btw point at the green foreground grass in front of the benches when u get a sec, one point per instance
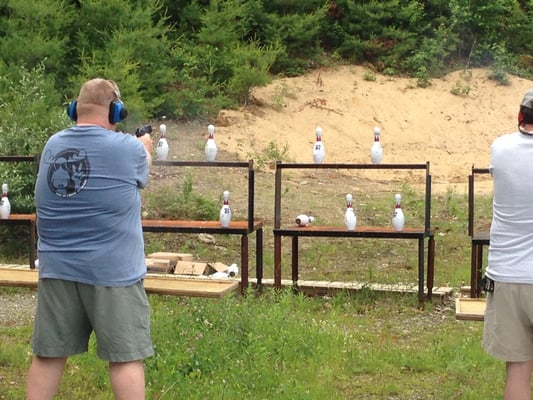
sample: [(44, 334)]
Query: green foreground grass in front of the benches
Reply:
[(285, 346)]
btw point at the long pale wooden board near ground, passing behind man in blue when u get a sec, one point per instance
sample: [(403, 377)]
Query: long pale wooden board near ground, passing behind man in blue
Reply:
[(152, 284)]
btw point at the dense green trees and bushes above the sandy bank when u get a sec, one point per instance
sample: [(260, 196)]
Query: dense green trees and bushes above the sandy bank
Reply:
[(188, 59)]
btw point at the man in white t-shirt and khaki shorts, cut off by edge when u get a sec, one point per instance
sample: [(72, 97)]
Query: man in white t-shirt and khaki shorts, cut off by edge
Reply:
[(508, 329)]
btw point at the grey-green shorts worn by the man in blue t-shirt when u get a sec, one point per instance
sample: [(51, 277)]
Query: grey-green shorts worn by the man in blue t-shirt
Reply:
[(68, 312)]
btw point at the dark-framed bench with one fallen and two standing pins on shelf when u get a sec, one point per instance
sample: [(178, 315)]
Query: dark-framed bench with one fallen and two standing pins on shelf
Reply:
[(418, 233)]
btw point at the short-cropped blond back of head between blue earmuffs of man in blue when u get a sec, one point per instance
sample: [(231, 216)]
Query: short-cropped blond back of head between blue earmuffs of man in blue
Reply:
[(95, 94)]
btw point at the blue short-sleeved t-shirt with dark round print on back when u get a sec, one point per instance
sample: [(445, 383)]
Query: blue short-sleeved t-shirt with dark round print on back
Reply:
[(89, 207)]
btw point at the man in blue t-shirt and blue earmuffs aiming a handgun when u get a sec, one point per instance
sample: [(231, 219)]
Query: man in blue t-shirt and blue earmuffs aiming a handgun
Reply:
[(91, 249)]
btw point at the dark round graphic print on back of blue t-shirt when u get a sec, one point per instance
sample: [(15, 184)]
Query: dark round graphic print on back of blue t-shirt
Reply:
[(68, 172)]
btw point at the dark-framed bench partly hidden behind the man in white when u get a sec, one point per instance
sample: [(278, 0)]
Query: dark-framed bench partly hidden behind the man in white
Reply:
[(478, 238)]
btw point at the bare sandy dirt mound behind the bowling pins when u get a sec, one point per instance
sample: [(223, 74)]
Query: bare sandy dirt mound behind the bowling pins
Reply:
[(451, 123)]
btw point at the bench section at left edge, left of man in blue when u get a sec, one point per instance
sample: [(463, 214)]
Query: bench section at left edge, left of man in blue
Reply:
[(24, 219)]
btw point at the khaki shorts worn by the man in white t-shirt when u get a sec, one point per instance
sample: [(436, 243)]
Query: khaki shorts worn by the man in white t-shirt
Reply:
[(508, 326)]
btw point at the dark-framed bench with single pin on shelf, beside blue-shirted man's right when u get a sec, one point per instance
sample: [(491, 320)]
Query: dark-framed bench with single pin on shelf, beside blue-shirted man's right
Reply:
[(243, 228)]
